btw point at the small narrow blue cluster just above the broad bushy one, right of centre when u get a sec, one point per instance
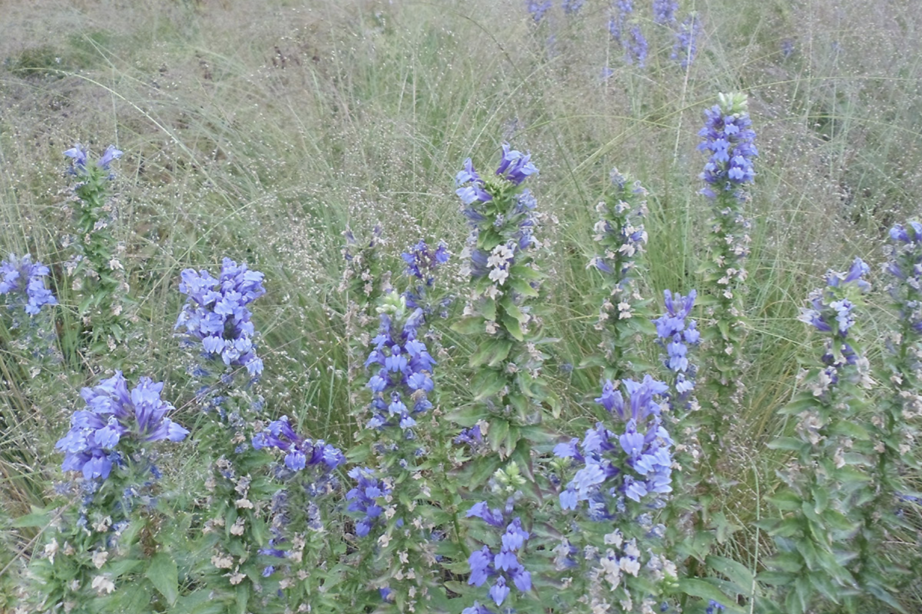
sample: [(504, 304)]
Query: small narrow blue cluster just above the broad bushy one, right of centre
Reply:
[(675, 335)]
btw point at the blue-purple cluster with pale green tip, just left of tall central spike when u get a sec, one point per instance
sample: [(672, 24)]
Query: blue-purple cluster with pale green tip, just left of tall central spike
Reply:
[(402, 375)]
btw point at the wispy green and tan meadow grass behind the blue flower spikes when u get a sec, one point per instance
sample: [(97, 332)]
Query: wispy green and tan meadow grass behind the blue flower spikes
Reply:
[(261, 131)]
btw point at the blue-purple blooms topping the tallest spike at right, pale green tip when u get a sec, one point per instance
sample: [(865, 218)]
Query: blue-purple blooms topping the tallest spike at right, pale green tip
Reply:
[(728, 138)]
